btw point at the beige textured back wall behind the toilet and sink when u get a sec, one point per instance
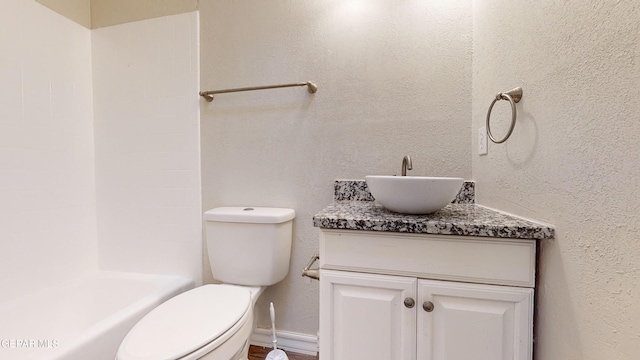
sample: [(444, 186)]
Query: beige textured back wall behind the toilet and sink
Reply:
[(394, 78)]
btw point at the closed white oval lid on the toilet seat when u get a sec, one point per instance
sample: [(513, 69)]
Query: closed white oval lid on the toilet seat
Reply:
[(186, 323)]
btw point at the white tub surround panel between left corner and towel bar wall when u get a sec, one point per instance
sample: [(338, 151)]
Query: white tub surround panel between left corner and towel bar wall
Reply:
[(148, 146)]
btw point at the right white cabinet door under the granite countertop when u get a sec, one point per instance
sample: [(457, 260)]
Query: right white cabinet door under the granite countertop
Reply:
[(471, 321)]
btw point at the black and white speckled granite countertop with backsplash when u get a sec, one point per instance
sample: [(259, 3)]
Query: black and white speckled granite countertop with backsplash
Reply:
[(462, 217)]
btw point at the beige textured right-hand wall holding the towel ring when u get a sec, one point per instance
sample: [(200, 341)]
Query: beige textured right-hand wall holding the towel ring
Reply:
[(572, 160)]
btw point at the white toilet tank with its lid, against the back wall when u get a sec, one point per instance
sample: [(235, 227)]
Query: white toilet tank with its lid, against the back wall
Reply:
[(249, 245)]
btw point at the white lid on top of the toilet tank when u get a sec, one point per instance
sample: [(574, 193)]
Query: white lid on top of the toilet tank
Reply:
[(250, 214)]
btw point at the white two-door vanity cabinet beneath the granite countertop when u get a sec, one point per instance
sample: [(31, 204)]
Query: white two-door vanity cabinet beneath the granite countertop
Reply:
[(426, 297)]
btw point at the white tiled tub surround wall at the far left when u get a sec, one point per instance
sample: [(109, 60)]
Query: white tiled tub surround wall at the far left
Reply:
[(47, 199)]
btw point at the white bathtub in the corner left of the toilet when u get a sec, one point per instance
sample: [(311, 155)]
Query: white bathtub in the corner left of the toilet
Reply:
[(82, 320)]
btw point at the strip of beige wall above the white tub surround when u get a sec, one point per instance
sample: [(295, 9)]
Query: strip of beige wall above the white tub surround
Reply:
[(100, 13)]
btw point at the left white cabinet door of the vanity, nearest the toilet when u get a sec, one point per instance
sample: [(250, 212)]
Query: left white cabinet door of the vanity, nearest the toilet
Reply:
[(363, 316)]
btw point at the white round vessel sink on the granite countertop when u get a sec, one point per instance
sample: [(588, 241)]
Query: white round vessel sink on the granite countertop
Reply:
[(413, 194)]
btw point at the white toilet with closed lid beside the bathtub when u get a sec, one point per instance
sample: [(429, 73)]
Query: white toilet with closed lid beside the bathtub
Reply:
[(249, 248)]
